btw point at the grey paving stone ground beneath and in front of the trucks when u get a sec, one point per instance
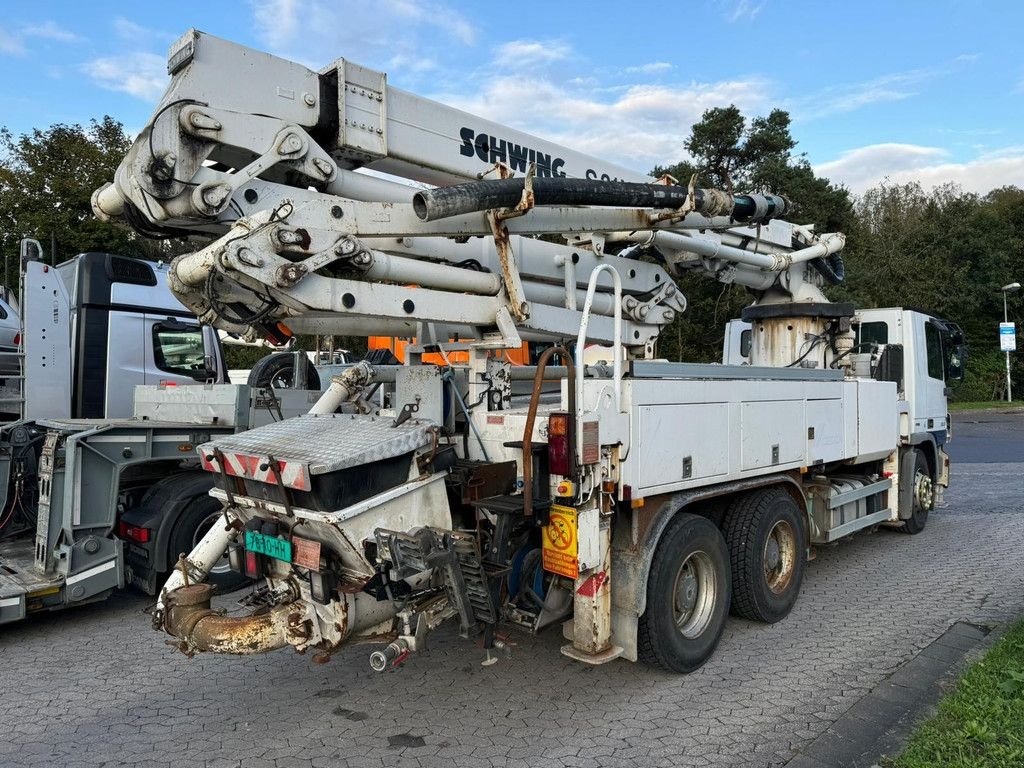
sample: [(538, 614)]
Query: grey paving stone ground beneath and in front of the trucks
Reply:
[(97, 688)]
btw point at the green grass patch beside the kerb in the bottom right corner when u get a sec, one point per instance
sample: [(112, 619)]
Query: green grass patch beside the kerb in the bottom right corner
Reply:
[(982, 723)]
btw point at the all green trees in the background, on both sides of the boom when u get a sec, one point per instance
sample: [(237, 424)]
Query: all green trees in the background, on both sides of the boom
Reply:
[(946, 250)]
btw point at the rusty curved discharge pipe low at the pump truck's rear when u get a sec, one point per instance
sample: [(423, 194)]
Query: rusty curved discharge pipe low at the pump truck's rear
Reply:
[(189, 618)]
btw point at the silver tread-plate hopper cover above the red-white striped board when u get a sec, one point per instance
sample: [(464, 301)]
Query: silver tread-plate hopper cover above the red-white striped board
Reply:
[(328, 444)]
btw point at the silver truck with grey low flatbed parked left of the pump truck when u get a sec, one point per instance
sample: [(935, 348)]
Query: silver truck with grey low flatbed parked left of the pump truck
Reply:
[(108, 386)]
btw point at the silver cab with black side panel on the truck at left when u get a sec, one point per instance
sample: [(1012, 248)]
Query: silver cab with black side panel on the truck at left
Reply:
[(97, 327)]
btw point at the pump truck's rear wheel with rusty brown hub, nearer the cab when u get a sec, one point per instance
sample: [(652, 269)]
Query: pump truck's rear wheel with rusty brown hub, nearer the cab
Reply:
[(764, 531)]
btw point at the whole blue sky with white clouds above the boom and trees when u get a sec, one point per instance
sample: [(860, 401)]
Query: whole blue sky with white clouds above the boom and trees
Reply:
[(932, 92)]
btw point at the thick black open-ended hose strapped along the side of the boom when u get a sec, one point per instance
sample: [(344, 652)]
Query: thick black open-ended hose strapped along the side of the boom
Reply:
[(484, 196)]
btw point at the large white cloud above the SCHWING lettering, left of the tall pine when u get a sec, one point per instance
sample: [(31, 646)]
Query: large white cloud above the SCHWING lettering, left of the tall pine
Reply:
[(638, 126)]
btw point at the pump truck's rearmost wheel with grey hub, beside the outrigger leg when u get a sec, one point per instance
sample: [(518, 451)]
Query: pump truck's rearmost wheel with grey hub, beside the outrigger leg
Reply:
[(688, 596)]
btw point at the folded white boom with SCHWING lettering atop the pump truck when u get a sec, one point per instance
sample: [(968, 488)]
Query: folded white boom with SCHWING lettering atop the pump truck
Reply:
[(263, 154)]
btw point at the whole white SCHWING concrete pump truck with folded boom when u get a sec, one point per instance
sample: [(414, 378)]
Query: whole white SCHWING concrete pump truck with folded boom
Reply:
[(637, 508)]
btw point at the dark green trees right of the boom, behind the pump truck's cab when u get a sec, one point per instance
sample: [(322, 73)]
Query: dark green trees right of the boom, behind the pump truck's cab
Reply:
[(946, 251)]
